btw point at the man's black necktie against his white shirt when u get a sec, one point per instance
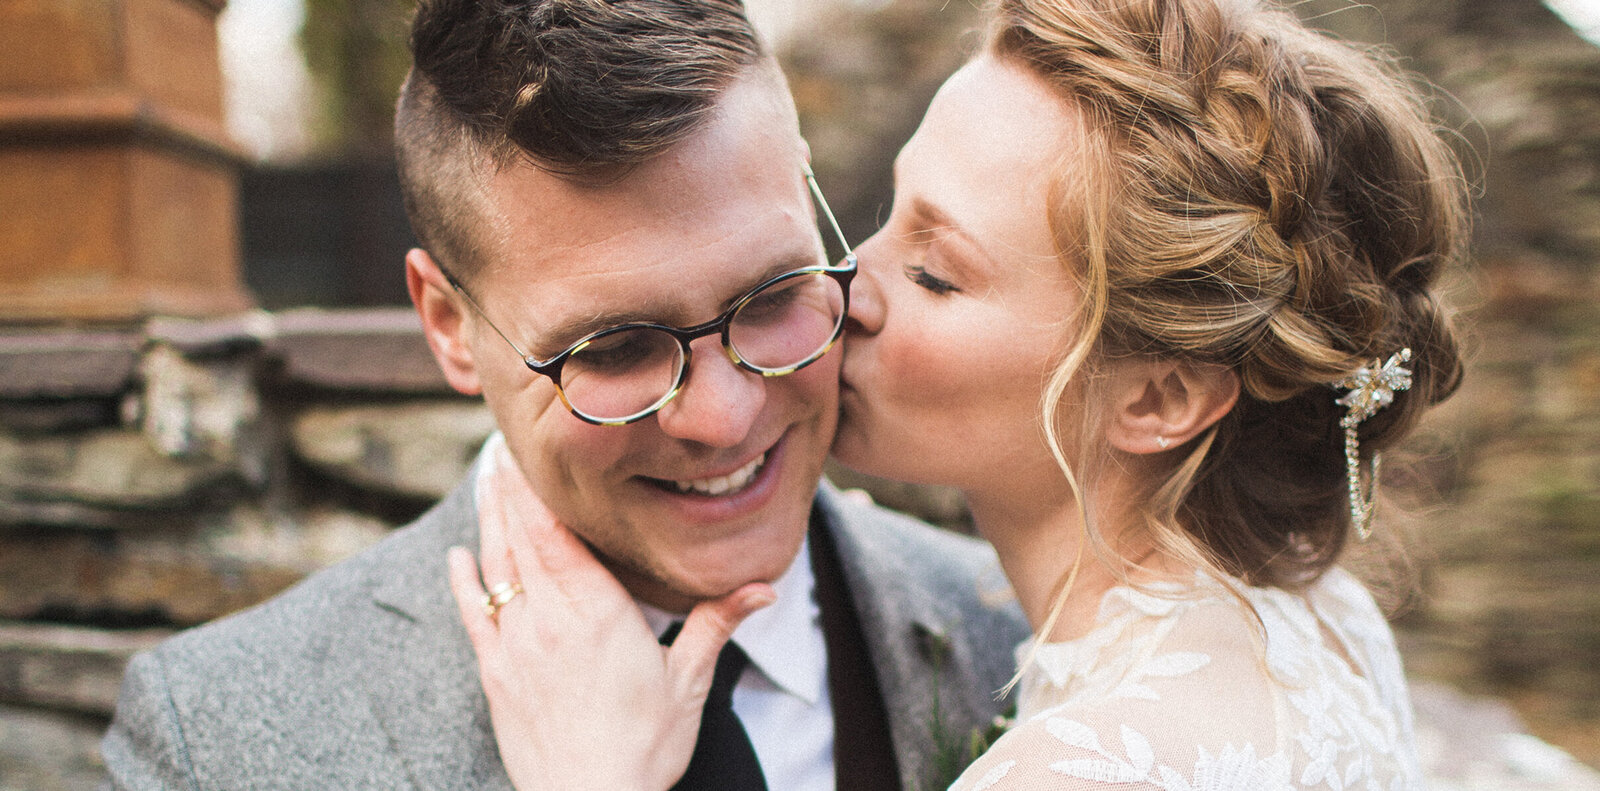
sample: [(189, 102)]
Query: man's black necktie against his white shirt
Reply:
[(724, 758)]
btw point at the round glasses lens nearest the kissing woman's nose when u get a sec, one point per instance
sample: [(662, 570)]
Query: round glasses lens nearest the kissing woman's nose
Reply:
[(790, 323)]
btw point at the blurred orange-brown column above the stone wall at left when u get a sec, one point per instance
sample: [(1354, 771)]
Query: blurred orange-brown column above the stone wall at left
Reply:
[(118, 182)]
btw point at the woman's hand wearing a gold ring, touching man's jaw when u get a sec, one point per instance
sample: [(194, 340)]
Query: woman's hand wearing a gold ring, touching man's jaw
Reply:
[(582, 696)]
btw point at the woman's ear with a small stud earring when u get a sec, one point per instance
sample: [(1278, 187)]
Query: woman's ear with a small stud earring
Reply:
[(1159, 404)]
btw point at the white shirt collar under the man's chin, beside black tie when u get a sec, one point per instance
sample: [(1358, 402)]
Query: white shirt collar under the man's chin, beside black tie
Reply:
[(783, 640)]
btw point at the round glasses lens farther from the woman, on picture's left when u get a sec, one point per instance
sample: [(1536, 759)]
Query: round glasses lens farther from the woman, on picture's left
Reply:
[(620, 374)]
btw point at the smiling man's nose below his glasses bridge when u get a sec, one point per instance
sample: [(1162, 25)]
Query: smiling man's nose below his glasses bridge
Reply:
[(721, 401)]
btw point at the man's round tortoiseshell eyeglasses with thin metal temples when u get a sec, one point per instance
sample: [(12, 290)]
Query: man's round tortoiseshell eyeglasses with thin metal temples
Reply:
[(625, 374)]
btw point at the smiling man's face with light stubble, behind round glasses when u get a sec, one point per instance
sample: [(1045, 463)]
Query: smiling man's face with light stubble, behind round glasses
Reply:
[(674, 241)]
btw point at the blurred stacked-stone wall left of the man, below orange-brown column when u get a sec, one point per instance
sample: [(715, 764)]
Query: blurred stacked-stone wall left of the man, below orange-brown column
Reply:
[(159, 476)]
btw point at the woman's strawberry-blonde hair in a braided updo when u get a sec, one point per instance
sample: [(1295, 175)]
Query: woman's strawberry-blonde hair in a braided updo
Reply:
[(1257, 196)]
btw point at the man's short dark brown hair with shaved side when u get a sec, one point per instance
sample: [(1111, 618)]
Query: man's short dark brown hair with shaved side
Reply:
[(585, 89)]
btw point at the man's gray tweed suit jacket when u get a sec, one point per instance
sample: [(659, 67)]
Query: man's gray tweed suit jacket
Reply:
[(364, 678)]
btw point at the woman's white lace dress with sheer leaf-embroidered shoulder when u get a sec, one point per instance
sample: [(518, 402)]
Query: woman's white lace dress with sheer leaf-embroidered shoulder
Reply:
[(1188, 693)]
